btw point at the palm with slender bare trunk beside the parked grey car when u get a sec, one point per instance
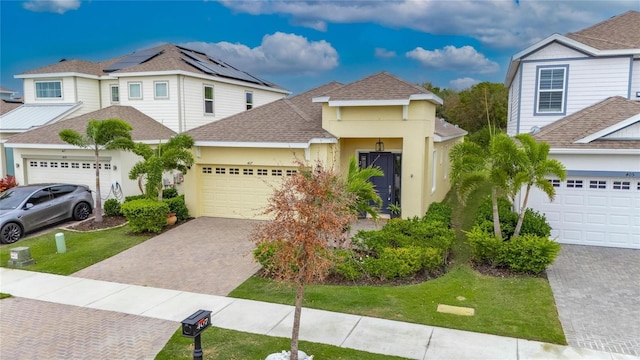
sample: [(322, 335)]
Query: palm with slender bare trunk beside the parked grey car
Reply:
[(109, 134)]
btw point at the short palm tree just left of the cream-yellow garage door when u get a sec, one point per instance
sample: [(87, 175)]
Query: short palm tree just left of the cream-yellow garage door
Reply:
[(174, 154)]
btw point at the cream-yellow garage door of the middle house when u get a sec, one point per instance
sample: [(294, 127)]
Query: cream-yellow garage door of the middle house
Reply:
[(239, 191)]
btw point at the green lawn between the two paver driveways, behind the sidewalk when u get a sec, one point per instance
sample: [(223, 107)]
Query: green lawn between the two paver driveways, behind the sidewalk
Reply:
[(521, 307)]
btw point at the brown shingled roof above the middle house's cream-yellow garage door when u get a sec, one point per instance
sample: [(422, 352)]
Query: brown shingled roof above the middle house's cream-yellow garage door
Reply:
[(293, 120)]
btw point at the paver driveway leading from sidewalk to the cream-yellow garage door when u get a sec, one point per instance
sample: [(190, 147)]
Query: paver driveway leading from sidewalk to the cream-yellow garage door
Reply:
[(205, 255)]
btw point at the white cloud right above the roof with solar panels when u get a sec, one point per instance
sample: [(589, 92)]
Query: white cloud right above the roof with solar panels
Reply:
[(279, 53)]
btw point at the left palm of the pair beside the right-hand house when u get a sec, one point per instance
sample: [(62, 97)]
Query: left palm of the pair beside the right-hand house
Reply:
[(497, 164)]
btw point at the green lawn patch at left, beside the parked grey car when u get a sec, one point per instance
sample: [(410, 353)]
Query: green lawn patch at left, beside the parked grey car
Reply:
[(83, 249)]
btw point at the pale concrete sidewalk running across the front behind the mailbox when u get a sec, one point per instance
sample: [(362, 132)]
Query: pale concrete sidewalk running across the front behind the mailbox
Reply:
[(350, 331)]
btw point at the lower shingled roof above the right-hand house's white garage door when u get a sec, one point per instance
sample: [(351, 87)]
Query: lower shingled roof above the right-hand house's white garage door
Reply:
[(565, 132)]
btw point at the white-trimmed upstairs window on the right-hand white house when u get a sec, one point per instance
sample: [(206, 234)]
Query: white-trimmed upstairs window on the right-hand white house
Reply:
[(551, 89)]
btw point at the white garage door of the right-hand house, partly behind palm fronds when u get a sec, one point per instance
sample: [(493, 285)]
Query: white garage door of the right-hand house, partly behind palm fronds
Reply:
[(593, 211)]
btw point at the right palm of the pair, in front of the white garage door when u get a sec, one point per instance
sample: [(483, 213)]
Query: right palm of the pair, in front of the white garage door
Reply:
[(536, 167)]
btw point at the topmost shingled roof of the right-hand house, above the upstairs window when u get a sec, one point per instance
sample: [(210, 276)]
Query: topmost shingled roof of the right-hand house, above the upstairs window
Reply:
[(618, 32)]
